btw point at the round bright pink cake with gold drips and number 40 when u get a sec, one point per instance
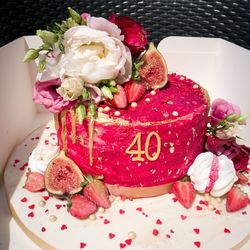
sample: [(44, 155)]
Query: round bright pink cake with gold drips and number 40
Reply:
[(140, 150)]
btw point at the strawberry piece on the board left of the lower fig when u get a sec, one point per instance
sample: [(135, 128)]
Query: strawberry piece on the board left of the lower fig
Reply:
[(34, 182)]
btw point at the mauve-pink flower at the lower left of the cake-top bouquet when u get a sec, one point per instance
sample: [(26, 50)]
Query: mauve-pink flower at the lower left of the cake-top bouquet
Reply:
[(45, 93)]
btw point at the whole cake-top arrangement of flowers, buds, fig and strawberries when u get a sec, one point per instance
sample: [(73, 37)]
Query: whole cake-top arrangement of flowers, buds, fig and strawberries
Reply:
[(85, 60)]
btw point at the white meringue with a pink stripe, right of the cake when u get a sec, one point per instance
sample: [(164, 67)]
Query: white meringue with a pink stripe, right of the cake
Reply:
[(219, 181)]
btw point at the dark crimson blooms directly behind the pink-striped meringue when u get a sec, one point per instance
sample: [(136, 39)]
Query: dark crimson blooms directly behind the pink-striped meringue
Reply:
[(239, 154)]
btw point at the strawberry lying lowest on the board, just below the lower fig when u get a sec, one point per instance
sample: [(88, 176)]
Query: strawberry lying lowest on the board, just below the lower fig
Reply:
[(80, 207)]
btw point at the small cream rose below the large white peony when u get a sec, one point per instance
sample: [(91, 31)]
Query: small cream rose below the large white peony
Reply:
[(71, 88)]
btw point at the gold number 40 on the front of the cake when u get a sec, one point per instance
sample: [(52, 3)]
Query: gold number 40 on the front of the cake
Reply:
[(137, 153)]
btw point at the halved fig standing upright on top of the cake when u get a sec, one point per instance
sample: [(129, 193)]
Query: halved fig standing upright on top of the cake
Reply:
[(154, 70)]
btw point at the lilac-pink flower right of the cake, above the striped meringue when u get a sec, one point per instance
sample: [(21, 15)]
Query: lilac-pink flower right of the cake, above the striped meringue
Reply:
[(222, 108)]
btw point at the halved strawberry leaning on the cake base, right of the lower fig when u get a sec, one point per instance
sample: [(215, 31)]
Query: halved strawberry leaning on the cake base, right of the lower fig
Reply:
[(97, 192)]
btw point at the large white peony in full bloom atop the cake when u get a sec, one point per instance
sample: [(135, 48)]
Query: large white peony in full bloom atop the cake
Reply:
[(93, 55)]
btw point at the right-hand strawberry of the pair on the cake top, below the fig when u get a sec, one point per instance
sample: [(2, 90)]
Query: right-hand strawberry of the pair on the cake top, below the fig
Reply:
[(134, 90)]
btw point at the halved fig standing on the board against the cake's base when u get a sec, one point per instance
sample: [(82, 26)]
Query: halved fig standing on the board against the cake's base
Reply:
[(63, 177)]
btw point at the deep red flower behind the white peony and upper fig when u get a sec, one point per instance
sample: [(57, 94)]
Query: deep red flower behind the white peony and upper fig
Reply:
[(135, 37)]
